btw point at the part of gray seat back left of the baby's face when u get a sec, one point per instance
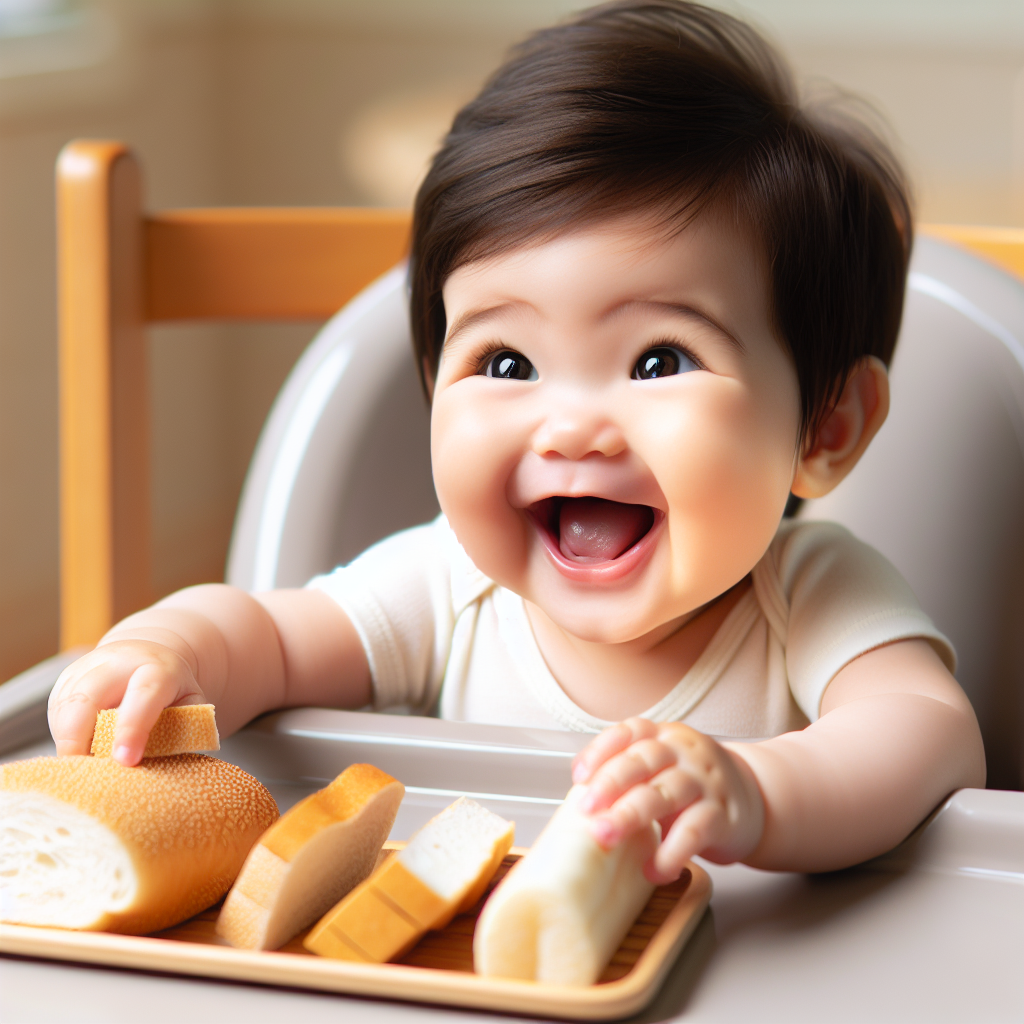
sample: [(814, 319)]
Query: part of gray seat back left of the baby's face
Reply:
[(345, 457)]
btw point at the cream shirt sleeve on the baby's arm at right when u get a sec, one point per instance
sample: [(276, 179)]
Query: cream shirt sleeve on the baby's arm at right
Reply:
[(844, 600)]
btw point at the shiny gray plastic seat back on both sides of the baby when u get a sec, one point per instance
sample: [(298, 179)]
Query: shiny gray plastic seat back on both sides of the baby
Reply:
[(345, 461)]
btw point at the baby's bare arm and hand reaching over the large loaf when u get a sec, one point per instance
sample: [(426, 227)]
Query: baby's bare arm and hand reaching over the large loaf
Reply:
[(245, 654)]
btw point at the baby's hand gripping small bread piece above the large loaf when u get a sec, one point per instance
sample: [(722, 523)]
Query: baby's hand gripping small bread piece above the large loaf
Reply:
[(140, 677)]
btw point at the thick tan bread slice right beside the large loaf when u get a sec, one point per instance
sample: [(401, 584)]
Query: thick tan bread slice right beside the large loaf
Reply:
[(312, 858)]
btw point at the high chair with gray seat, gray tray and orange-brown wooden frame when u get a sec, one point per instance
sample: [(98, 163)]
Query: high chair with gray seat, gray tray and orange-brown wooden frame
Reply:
[(931, 931)]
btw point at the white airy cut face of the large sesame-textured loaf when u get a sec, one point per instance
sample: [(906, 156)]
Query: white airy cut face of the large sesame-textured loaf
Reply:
[(58, 866)]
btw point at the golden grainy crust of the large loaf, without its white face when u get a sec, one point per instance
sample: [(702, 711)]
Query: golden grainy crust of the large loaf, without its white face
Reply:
[(187, 823)]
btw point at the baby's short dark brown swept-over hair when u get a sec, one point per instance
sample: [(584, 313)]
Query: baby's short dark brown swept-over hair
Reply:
[(666, 107)]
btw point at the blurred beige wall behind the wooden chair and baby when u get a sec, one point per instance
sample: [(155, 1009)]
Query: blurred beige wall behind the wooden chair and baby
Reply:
[(342, 102)]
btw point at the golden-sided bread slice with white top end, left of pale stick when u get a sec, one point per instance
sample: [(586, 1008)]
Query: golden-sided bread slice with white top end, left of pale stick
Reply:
[(442, 872)]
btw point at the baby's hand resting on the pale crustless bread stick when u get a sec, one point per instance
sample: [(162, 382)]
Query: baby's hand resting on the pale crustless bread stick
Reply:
[(705, 797)]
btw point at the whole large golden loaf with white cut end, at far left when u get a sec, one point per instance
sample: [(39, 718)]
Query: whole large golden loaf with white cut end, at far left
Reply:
[(90, 844)]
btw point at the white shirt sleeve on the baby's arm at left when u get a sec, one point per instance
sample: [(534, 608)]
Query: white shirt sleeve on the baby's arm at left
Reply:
[(399, 598)]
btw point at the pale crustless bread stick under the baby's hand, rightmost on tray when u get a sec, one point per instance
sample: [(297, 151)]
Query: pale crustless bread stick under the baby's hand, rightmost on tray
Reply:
[(564, 910)]
